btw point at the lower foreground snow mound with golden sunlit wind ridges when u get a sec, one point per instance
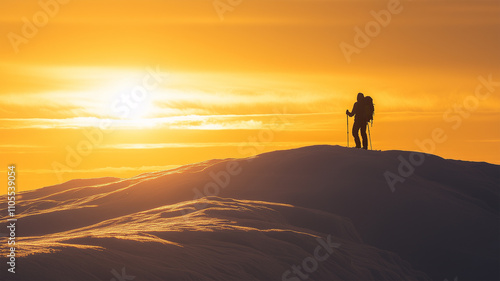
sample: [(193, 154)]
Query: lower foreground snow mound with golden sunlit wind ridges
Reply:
[(228, 240)]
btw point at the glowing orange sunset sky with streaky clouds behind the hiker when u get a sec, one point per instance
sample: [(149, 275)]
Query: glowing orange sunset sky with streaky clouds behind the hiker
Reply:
[(180, 82)]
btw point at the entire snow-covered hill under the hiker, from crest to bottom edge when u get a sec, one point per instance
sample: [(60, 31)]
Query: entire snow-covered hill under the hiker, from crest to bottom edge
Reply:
[(318, 212)]
